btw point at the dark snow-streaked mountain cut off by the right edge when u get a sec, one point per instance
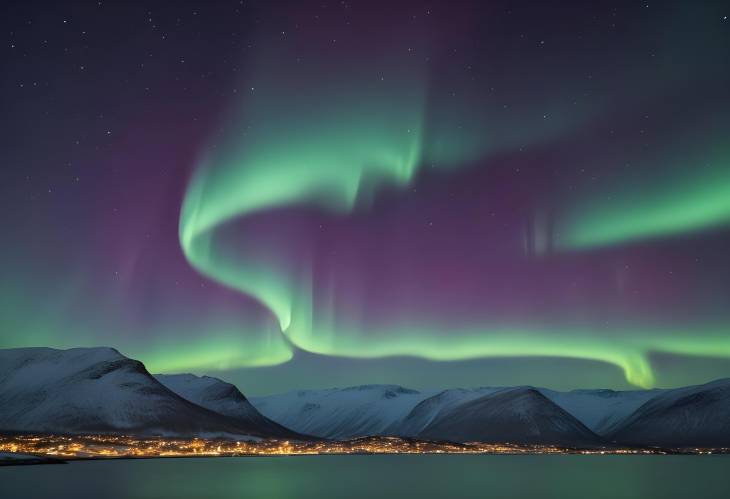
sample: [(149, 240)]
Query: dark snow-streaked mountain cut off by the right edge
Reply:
[(683, 417)]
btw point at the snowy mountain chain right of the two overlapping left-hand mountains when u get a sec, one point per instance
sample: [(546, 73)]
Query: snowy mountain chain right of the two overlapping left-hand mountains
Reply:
[(681, 417)]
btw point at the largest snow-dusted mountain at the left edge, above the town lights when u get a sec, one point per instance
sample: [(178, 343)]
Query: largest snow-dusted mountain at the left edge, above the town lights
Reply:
[(98, 390)]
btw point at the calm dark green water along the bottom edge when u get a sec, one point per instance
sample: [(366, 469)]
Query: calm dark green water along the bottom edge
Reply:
[(422, 476)]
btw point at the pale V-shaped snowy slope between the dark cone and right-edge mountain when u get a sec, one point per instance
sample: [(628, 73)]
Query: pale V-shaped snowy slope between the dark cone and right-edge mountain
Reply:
[(599, 410)]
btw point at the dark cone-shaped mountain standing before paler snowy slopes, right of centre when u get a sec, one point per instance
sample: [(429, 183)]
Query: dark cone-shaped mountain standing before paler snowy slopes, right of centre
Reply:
[(517, 415)]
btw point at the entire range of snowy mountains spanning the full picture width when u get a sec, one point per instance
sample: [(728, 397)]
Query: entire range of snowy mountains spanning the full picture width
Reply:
[(98, 390)]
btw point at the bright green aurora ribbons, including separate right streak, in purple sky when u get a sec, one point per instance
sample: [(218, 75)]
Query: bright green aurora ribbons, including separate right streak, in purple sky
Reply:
[(323, 146)]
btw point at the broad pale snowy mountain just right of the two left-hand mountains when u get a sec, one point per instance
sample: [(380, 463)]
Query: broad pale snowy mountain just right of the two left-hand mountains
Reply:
[(341, 412)]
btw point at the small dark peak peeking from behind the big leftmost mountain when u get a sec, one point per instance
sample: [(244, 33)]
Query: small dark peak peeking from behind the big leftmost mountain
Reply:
[(223, 398)]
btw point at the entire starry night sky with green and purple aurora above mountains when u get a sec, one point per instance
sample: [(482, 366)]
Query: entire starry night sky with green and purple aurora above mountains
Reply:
[(313, 194)]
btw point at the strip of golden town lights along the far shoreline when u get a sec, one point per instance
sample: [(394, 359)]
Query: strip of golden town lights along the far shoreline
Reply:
[(113, 446)]
